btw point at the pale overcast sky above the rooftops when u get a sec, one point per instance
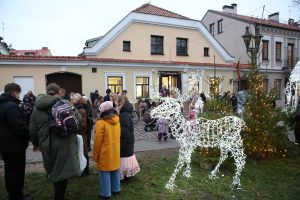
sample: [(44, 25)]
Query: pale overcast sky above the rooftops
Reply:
[(64, 25)]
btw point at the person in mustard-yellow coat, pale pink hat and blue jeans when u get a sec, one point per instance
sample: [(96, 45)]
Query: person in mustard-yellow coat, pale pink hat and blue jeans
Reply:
[(106, 151)]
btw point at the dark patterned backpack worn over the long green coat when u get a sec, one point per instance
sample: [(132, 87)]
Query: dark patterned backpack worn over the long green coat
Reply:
[(63, 120)]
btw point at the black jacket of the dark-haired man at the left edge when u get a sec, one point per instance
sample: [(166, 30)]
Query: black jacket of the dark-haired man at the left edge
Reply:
[(14, 134)]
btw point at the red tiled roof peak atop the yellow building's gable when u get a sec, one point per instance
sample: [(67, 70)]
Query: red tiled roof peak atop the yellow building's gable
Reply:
[(154, 10)]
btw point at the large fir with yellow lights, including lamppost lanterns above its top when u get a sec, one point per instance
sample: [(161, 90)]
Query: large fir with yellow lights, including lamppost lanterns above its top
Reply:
[(263, 138)]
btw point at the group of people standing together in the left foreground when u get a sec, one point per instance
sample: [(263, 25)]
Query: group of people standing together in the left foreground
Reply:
[(29, 121)]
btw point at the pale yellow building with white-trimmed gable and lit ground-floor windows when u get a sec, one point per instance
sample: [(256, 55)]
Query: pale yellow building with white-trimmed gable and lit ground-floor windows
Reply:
[(149, 48)]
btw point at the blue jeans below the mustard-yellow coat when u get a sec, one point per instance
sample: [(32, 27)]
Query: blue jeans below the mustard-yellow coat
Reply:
[(109, 182)]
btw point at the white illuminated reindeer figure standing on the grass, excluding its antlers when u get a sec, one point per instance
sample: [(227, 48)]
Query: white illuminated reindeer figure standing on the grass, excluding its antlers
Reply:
[(223, 133)]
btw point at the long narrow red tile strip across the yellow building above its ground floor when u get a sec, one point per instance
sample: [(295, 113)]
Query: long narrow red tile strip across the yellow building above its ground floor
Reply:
[(108, 60)]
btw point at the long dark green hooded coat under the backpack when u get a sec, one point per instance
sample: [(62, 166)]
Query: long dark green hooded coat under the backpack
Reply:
[(61, 156)]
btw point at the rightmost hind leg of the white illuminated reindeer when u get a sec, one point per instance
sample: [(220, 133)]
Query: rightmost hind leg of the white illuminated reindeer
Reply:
[(239, 161)]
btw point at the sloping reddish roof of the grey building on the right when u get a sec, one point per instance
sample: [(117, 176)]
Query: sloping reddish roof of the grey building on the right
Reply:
[(255, 20)]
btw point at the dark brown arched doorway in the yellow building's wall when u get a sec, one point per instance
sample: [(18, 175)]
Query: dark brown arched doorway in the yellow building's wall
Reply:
[(71, 82)]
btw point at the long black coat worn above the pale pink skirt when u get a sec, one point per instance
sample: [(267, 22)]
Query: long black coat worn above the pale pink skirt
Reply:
[(127, 130)]
